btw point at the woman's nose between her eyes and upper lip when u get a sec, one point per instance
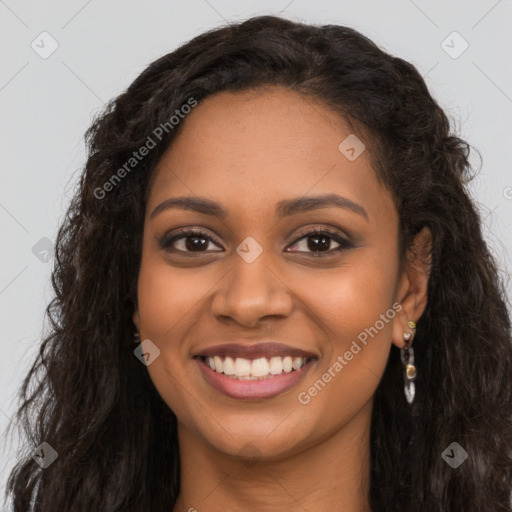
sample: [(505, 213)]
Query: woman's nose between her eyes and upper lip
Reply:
[(251, 292)]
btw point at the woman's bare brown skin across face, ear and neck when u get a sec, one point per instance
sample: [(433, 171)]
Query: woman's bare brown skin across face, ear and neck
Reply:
[(248, 151)]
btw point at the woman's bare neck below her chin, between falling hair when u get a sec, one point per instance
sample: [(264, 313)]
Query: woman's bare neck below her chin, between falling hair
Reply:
[(332, 474)]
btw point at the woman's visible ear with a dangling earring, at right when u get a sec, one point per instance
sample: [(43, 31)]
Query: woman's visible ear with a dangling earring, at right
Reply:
[(412, 291)]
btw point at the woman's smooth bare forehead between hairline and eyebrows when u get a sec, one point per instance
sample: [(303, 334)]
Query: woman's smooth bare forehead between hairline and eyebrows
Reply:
[(257, 147)]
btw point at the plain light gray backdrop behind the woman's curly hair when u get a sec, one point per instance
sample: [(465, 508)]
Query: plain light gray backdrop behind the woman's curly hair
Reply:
[(47, 104)]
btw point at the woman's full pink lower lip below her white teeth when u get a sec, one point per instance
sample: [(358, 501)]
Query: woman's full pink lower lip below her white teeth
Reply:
[(253, 389)]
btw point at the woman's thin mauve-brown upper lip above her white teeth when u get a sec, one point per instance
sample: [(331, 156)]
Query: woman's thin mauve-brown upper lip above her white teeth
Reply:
[(267, 349)]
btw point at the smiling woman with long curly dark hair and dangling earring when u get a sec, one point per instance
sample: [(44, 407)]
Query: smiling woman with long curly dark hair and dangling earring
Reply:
[(275, 213)]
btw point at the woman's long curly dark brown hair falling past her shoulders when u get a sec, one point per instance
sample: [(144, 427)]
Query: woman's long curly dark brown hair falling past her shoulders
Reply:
[(93, 401)]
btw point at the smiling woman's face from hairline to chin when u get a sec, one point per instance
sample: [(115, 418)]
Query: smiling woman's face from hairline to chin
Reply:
[(255, 272)]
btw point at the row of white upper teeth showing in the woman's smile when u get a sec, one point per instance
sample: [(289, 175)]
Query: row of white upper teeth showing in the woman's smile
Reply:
[(252, 369)]
